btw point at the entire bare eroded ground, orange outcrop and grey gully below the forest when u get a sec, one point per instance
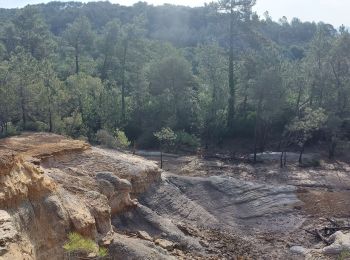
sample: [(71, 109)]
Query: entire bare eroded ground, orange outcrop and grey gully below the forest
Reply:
[(195, 209)]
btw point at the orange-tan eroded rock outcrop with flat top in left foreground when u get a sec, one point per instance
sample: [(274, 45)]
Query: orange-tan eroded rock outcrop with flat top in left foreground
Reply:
[(51, 185)]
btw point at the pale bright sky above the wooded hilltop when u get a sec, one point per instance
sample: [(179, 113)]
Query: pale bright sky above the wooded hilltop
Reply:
[(335, 12)]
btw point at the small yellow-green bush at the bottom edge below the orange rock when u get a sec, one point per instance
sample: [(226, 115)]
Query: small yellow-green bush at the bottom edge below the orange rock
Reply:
[(78, 243)]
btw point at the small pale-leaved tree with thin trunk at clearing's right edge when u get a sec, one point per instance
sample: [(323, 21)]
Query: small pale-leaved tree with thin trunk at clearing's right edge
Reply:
[(303, 128)]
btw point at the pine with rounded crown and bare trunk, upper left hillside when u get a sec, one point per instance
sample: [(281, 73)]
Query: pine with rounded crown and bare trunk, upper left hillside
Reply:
[(79, 36)]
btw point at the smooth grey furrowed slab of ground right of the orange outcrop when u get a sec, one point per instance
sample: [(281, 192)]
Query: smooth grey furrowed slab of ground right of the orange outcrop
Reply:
[(225, 202)]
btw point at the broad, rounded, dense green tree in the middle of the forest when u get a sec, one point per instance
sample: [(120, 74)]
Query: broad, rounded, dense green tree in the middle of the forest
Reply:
[(174, 91)]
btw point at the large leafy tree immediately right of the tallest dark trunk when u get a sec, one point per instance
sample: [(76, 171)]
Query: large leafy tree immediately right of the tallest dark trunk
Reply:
[(261, 79)]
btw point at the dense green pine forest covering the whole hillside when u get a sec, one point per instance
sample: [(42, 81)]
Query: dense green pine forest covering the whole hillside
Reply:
[(208, 73)]
